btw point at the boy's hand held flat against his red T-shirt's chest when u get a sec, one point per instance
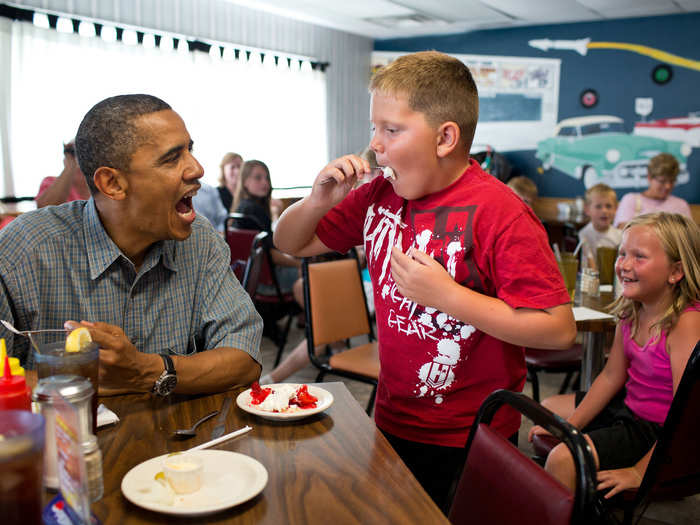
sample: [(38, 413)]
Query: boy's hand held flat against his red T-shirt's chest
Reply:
[(419, 277)]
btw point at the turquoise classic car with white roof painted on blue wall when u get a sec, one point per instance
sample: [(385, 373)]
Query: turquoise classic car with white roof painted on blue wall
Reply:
[(597, 149)]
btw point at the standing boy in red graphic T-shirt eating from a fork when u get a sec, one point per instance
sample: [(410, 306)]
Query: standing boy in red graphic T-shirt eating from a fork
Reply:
[(462, 272)]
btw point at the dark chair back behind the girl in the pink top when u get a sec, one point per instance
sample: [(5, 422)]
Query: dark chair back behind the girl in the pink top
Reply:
[(674, 467)]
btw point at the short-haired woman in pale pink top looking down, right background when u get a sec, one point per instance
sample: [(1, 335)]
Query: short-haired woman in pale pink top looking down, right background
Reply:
[(661, 173)]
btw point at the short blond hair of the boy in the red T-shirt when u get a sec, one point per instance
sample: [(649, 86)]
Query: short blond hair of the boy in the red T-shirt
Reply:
[(437, 85)]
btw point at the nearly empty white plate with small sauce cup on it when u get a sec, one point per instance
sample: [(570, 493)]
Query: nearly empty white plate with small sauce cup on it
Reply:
[(230, 478)]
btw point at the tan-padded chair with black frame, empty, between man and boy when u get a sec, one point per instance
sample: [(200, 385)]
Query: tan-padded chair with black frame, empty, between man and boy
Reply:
[(336, 310)]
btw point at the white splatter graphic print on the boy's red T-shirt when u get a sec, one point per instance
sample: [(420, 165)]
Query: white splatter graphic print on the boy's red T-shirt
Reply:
[(445, 235)]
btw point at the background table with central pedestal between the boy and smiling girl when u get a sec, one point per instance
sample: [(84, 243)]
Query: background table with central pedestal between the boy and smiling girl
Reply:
[(594, 338)]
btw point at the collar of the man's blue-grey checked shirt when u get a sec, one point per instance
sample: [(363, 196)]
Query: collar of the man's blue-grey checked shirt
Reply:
[(102, 251)]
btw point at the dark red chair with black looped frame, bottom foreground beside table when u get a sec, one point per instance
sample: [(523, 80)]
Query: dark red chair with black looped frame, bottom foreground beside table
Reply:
[(500, 485)]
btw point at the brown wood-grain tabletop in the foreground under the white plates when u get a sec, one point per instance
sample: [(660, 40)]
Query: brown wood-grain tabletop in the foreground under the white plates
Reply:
[(334, 467)]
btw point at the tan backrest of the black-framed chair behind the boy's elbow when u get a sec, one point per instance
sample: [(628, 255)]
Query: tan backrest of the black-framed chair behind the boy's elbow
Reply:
[(336, 301)]
